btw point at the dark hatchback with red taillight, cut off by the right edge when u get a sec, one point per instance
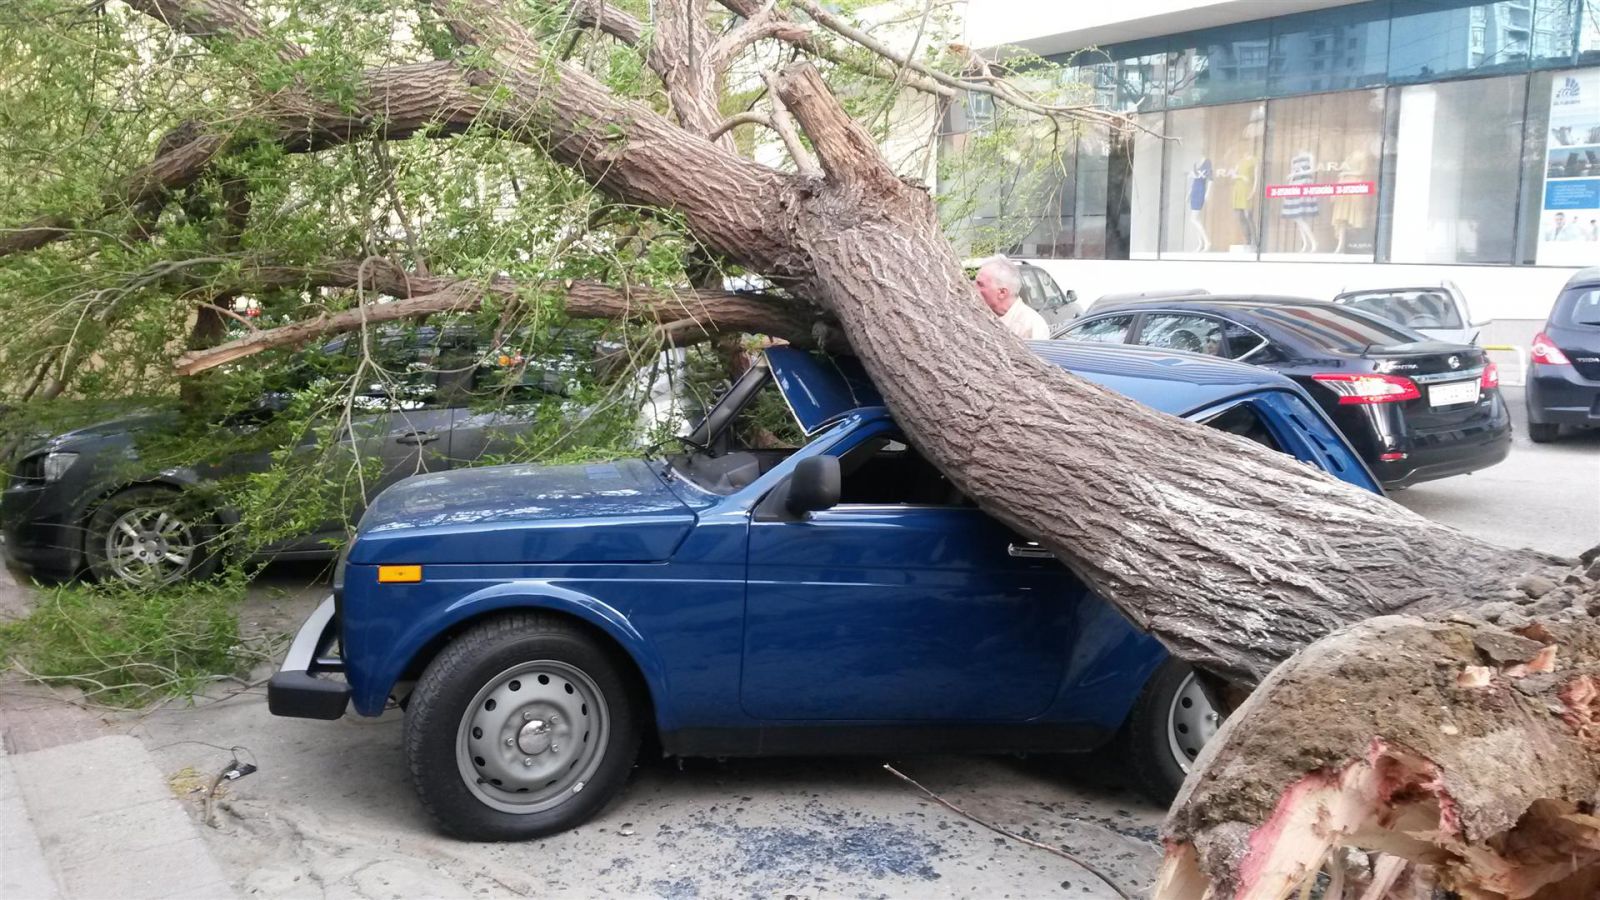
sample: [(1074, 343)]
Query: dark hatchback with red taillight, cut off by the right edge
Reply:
[(1564, 379)]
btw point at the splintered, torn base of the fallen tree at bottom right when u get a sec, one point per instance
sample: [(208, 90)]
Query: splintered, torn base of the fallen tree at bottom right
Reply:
[(1458, 753)]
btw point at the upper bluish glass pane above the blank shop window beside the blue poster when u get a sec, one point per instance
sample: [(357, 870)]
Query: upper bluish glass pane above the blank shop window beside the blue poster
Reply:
[(1438, 39)]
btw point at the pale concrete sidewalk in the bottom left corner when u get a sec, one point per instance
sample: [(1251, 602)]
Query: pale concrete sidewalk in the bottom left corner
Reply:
[(97, 819)]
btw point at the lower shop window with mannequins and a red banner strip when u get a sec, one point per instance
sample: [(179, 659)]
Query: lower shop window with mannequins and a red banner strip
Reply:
[(1321, 196)]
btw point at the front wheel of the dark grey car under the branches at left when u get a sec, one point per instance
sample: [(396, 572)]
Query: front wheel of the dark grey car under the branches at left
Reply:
[(151, 536)]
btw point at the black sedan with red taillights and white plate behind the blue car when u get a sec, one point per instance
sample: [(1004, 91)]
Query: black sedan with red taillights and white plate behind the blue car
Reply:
[(1414, 409)]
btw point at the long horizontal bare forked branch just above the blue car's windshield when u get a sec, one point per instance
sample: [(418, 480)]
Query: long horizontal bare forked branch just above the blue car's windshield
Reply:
[(692, 315)]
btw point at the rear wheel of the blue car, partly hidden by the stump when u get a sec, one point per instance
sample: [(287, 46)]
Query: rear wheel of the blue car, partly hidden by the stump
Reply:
[(1169, 726)]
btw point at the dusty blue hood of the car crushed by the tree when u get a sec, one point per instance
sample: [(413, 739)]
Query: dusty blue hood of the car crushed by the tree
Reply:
[(594, 513)]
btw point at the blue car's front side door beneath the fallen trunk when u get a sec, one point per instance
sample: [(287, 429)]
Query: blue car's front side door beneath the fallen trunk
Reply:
[(902, 611)]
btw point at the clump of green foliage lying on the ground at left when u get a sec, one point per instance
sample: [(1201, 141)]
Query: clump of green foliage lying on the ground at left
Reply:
[(126, 648)]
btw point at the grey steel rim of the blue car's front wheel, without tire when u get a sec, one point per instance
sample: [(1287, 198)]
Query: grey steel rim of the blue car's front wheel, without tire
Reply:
[(532, 737)]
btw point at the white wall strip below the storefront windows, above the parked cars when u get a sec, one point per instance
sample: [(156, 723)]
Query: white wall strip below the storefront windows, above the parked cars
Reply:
[(1494, 292)]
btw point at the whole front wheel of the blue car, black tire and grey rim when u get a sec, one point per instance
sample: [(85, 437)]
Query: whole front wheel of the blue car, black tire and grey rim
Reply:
[(522, 726)]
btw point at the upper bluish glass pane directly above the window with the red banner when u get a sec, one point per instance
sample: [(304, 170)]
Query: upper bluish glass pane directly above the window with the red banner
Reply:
[(1330, 50)]
